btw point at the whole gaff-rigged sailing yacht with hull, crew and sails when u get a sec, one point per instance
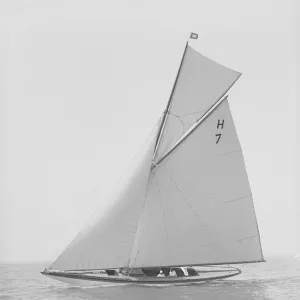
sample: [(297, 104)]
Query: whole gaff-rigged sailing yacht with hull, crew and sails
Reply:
[(186, 212)]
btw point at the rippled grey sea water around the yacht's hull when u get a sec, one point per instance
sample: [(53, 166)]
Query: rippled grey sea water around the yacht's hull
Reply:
[(278, 278)]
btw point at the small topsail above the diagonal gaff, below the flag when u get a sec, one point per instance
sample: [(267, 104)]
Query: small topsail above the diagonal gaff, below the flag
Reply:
[(201, 83)]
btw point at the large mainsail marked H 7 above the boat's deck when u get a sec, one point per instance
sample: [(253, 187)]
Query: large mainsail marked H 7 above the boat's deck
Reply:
[(199, 207)]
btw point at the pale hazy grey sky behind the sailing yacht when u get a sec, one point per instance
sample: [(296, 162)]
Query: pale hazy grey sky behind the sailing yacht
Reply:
[(82, 84)]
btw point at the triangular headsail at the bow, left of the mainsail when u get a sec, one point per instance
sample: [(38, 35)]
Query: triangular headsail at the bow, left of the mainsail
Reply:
[(107, 241)]
